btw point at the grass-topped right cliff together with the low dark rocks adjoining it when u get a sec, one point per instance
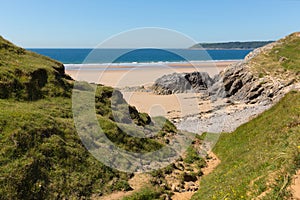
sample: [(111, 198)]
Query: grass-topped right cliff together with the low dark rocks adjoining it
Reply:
[(263, 75)]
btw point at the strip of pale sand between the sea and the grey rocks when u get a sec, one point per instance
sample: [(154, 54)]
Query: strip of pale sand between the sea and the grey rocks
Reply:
[(145, 75)]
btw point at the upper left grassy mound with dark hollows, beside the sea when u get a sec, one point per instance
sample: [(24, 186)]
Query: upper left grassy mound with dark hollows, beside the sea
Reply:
[(26, 75)]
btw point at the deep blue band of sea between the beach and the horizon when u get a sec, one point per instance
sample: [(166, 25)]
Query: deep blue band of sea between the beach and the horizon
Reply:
[(100, 56)]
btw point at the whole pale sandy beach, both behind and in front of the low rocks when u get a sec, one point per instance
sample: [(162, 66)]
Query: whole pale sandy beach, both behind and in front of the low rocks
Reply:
[(170, 106)]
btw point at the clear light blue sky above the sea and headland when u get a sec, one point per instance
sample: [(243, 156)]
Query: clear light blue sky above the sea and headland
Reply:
[(85, 23)]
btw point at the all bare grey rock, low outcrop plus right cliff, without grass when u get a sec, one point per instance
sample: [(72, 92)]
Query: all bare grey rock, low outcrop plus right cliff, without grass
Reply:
[(239, 82)]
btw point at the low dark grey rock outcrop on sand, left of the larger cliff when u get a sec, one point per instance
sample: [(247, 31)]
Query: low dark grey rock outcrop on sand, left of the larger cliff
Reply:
[(182, 83)]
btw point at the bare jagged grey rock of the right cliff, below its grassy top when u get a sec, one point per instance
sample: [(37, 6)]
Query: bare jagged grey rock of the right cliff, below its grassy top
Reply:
[(240, 83)]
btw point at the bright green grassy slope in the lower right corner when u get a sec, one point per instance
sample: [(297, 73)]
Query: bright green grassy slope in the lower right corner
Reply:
[(260, 156)]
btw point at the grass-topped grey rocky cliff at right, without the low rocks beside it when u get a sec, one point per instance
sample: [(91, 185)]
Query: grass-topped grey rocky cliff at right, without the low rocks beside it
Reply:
[(263, 75)]
